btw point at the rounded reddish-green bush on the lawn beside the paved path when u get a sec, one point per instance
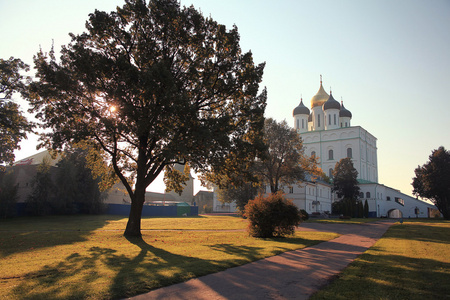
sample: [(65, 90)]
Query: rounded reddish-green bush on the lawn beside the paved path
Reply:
[(272, 216)]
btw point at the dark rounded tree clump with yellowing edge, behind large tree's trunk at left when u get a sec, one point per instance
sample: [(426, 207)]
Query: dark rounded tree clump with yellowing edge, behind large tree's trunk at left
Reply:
[(74, 186)]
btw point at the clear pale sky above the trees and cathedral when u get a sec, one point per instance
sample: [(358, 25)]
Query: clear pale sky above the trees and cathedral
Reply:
[(389, 60)]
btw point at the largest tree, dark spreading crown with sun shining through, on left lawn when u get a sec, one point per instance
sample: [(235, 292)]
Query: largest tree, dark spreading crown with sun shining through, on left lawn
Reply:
[(153, 85)]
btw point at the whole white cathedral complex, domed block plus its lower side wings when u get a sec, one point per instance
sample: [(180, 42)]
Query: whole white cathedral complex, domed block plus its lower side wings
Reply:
[(328, 134)]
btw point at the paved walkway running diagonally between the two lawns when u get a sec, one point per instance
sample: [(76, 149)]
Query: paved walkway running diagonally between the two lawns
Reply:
[(291, 275)]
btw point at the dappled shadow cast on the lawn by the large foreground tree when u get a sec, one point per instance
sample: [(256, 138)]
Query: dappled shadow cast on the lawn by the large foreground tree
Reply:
[(103, 273)]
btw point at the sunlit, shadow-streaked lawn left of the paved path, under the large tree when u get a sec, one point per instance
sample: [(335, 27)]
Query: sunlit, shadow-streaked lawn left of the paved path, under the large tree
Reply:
[(87, 257)]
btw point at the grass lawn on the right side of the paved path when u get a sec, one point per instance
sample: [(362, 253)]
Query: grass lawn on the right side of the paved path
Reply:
[(411, 261)]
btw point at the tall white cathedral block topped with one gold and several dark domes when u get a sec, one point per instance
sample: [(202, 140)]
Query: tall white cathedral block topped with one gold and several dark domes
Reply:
[(330, 137)]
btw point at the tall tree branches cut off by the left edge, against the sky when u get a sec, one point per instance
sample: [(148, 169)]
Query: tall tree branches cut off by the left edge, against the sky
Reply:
[(13, 124)]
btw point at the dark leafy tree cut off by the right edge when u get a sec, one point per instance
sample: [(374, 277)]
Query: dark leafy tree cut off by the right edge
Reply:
[(432, 180)]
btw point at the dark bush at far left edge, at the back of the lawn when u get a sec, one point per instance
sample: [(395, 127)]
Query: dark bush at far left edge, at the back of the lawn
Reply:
[(8, 195)]
